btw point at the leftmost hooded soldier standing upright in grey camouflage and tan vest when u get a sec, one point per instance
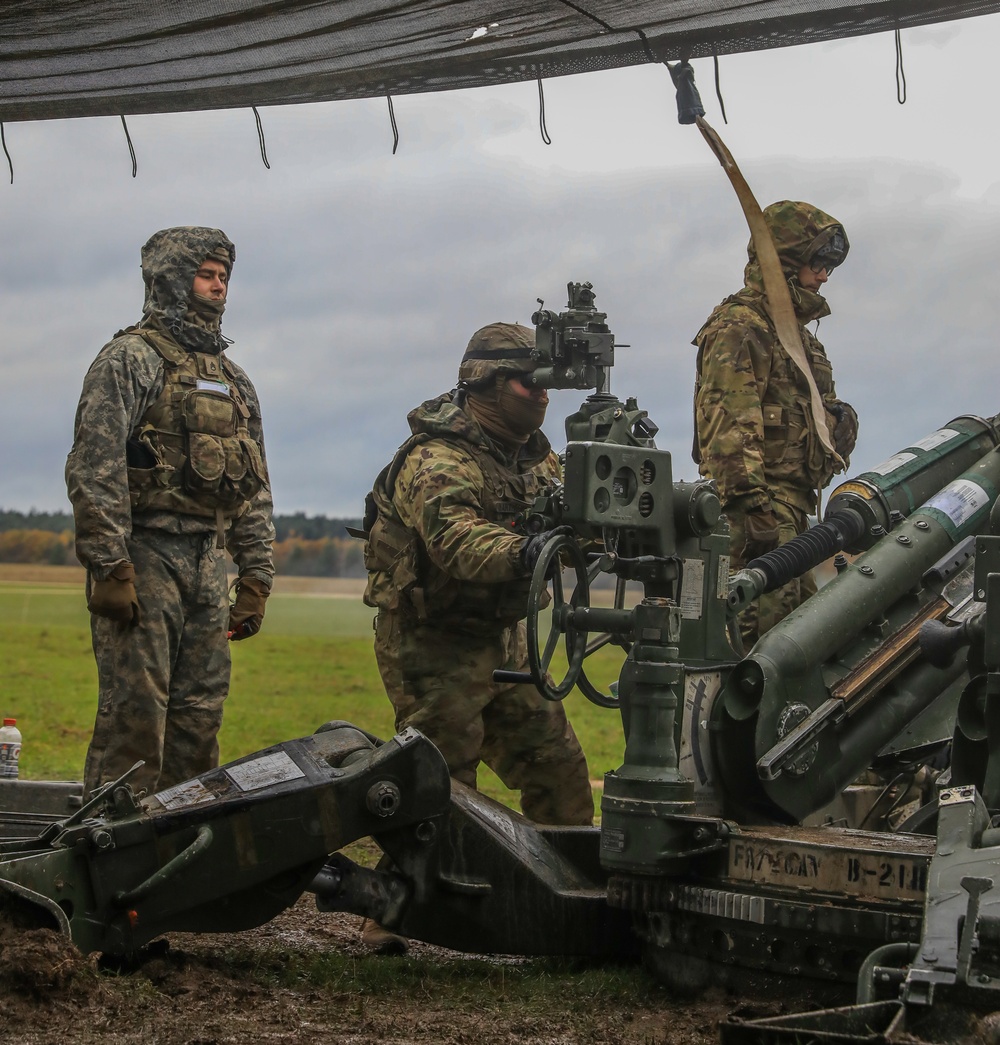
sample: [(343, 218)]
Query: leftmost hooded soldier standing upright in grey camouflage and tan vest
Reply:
[(168, 471)]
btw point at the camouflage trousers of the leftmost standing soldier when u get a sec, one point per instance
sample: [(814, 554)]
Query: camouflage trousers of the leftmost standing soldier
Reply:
[(161, 685)]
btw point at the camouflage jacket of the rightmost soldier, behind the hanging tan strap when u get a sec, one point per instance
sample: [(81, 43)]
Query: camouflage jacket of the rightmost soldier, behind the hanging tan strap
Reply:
[(755, 434)]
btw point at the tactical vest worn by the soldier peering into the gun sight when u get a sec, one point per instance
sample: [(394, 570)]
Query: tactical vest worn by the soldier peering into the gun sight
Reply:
[(403, 578)]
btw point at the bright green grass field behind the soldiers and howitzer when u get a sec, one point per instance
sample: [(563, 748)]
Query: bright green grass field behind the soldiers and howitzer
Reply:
[(312, 663)]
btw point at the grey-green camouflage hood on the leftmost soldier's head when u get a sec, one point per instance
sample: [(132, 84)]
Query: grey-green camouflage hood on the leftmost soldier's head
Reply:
[(170, 261)]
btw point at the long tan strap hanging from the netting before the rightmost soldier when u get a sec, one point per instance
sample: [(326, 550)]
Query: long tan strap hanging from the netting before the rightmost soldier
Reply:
[(778, 298)]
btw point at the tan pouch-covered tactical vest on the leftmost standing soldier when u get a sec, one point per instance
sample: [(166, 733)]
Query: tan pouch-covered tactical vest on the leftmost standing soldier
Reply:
[(193, 453)]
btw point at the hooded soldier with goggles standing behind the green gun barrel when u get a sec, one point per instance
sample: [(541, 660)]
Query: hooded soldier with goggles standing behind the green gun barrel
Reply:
[(755, 433)]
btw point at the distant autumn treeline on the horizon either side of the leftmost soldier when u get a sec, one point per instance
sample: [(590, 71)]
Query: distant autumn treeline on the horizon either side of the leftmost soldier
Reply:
[(306, 547)]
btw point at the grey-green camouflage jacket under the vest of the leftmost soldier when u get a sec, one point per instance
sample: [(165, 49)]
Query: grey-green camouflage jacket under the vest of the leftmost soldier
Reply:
[(122, 390)]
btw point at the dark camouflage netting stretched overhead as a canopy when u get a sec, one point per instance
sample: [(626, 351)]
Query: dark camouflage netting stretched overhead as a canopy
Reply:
[(104, 58)]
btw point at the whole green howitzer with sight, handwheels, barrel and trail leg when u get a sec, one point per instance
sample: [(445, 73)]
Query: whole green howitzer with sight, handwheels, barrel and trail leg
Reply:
[(775, 812)]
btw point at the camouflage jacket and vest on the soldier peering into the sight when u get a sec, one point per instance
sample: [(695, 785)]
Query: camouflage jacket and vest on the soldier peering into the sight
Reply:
[(439, 541)]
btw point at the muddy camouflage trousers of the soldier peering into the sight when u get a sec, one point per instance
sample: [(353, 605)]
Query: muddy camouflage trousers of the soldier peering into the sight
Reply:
[(440, 683)]
